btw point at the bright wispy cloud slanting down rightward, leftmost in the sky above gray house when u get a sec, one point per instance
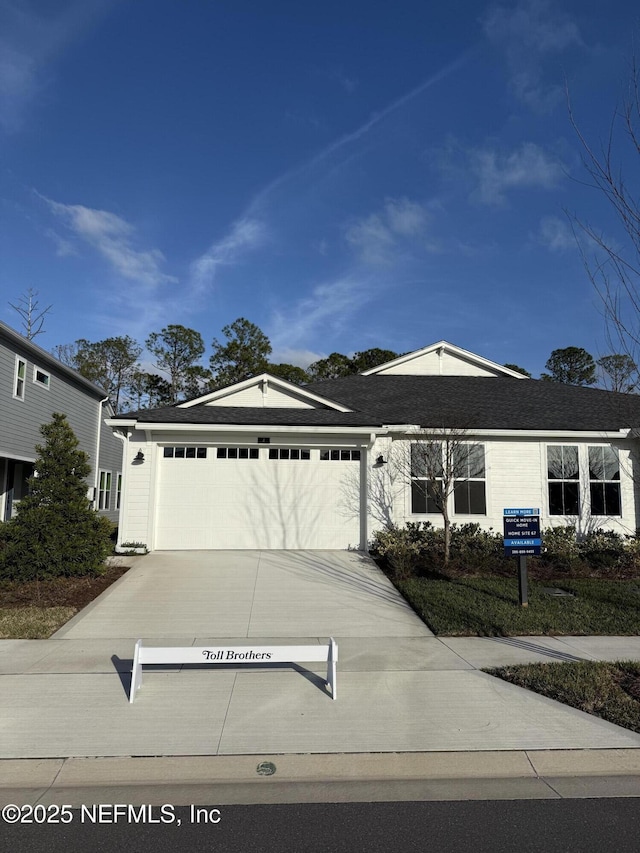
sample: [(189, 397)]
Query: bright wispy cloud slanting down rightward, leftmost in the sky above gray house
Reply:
[(112, 237)]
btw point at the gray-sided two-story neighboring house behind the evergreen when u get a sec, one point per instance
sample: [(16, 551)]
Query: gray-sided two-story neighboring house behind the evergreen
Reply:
[(34, 385)]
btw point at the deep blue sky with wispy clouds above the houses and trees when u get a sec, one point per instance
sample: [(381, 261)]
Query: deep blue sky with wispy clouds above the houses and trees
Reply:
[(345, 175)]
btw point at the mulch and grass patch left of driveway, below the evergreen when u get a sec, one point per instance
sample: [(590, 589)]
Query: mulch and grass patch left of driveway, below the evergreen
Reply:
[(35, 610)]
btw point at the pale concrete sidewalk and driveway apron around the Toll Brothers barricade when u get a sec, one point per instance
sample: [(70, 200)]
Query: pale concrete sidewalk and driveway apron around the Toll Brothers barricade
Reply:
[(68, 698)]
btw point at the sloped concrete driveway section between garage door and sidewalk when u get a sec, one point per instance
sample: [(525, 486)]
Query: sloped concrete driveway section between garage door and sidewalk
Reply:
[(241, 594)]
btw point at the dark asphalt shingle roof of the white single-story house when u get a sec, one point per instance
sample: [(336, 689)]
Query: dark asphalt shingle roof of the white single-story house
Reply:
[(464, 402)]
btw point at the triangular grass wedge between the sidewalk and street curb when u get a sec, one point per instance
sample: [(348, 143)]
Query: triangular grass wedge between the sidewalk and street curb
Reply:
[(607, 690)]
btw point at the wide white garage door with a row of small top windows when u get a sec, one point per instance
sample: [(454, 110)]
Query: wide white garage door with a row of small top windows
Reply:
[(267, 497)]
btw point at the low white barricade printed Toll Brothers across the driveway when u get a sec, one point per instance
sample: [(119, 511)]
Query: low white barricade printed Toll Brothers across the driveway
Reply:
[(233, 655)]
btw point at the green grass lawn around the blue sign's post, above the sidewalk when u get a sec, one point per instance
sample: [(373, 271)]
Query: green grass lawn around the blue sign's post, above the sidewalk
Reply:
[(488, 606)]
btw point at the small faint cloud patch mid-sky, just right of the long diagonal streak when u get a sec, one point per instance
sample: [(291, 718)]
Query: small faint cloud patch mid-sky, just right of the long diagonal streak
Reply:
[(377, 237)]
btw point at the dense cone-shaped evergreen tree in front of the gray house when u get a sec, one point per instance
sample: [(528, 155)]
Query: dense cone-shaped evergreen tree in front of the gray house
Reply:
[(55, 531)]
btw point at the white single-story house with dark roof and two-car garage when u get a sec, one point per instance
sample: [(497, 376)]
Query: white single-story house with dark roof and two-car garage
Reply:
[(268, 464)]
